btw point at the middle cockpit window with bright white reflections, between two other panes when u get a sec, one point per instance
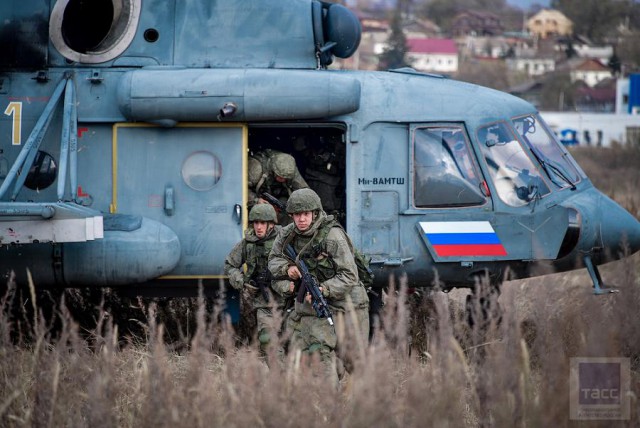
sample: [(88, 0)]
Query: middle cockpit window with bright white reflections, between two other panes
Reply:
[(514, 175)]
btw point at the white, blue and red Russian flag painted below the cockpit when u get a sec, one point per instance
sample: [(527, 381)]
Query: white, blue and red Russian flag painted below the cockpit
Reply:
[(463, 238)]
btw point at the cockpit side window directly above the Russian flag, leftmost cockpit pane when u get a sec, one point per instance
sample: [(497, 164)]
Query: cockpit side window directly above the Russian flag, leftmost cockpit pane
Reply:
[(444, 173)]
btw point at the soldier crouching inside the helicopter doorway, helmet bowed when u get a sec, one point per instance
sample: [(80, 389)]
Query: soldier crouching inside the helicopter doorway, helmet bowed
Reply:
[(275, 173)]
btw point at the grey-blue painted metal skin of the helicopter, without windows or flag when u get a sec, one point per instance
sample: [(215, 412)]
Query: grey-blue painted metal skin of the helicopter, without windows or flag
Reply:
[(166, 99)]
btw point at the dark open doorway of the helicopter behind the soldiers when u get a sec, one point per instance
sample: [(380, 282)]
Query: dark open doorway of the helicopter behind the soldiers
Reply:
[(320, 155)]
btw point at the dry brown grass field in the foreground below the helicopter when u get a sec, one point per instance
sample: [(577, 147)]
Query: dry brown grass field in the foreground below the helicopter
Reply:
[(425, 367)]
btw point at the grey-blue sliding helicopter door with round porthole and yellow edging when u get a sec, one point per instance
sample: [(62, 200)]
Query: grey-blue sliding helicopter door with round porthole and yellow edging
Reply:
[(190, 178)]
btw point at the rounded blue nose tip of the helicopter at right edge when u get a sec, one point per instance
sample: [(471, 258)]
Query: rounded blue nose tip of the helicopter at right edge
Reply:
[(619, 230)]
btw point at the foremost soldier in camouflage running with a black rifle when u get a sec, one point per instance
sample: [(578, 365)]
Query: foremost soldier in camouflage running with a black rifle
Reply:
[(326, 249)]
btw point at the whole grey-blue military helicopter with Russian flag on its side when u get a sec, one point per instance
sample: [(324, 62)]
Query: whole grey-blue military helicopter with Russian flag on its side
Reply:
[(127, 126)]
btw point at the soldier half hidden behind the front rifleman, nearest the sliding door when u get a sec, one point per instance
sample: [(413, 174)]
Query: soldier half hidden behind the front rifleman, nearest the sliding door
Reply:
[(255, 282)]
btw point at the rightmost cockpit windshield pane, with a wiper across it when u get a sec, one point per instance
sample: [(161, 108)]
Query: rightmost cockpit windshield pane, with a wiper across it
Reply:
[(547, 151)]
